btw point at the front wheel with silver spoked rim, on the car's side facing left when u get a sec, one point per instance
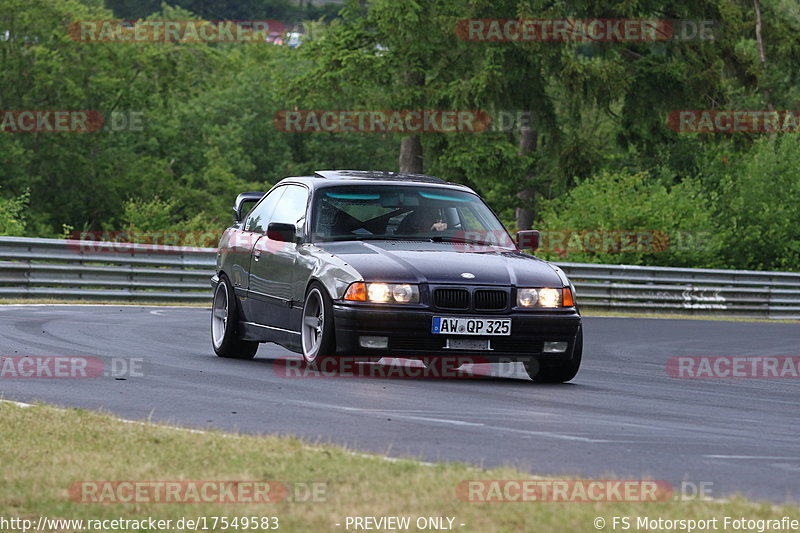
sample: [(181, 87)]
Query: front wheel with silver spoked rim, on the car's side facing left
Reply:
[(316, 328)]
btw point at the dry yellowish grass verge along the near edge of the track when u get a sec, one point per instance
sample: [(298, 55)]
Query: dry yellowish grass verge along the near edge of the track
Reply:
[(46, 450)]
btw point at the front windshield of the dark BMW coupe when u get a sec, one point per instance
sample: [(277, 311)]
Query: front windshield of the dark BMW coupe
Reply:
[(405, 213)]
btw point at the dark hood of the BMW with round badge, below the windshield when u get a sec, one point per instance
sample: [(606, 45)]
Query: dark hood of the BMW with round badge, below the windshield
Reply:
[(443, 263)]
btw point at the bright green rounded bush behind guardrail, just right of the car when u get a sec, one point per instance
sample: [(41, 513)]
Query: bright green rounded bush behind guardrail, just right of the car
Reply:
[(630, 218)]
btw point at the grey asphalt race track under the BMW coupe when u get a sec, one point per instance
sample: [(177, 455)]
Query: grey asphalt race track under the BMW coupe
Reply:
[(623, 415)]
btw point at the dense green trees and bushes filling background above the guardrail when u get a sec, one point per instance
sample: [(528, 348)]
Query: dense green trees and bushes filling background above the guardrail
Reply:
[(584, 143)]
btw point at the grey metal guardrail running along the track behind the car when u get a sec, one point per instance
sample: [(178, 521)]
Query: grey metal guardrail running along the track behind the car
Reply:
[(67, 269)]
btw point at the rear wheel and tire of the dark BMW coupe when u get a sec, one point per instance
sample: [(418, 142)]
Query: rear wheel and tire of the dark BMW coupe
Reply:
[(224, 323)]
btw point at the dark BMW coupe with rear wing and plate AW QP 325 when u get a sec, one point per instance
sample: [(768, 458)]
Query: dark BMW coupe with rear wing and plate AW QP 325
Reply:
[(368, 264)]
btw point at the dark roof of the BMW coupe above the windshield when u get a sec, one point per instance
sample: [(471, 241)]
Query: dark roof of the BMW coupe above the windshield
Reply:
[(330, 178)]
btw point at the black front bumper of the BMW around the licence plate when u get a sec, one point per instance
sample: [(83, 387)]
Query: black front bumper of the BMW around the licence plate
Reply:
[(409, 333)]
